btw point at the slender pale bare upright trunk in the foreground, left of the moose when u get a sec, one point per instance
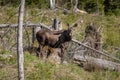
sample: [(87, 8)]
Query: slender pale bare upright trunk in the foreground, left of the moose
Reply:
[(20, 42)]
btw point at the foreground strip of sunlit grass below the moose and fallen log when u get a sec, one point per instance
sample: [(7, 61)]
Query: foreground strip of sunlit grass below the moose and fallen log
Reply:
[(37, 69)]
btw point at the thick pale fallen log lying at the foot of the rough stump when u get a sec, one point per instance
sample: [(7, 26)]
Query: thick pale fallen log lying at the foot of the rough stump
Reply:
[(91, 63)]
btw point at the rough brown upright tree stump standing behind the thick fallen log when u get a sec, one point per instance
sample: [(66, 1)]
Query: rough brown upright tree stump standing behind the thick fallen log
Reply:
[(93, 38)]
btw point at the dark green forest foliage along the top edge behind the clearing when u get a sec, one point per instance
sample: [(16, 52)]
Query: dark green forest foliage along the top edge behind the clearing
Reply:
[(109, 7)]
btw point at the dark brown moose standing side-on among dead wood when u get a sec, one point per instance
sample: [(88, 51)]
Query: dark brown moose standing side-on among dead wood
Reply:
[(54, 39)]
